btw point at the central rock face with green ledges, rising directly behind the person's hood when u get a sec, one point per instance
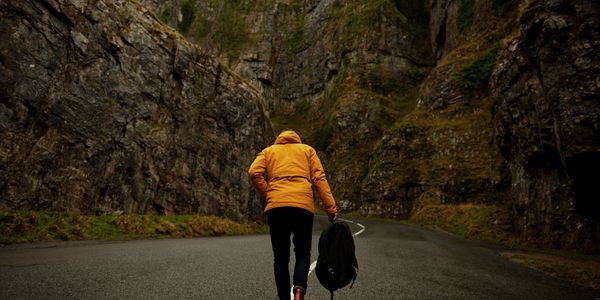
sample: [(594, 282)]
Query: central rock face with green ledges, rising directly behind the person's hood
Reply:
[(338, 72)]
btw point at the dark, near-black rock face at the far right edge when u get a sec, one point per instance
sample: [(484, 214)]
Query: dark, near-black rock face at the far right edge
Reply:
[(547, 119)]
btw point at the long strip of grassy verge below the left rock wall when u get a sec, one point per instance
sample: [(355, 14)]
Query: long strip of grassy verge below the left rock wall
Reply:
[(32, 226)]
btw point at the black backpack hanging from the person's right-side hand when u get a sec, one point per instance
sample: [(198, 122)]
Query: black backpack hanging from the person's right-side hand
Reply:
[(336, 265)]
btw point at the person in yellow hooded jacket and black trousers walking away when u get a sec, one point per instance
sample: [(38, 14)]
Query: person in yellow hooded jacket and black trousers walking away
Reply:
[(284, 174)]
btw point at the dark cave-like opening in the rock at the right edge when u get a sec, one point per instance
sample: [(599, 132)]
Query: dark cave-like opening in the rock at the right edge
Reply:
[(584, 170)]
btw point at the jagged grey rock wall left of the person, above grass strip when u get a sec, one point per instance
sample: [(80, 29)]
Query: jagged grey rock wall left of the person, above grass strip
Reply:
[(103, 110)]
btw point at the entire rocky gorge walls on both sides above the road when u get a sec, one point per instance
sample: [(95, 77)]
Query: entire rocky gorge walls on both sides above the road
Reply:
[(159, 106)]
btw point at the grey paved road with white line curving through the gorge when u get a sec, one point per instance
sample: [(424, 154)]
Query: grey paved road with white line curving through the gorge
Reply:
[(396, 262)]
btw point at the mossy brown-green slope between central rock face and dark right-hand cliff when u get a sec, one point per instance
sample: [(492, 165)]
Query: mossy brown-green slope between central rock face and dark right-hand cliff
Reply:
[(444, 151)]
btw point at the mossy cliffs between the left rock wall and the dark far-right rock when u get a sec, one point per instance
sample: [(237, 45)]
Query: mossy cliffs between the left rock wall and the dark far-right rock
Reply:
[(348, 76)]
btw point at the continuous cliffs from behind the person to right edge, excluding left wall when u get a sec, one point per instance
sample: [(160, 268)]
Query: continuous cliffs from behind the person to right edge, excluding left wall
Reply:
[(430, 102)]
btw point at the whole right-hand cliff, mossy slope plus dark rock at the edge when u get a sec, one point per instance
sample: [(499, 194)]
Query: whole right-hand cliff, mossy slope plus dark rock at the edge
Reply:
[(508, 114)]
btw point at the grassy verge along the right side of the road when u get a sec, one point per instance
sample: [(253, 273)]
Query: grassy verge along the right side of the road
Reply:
[(491, 223)]
